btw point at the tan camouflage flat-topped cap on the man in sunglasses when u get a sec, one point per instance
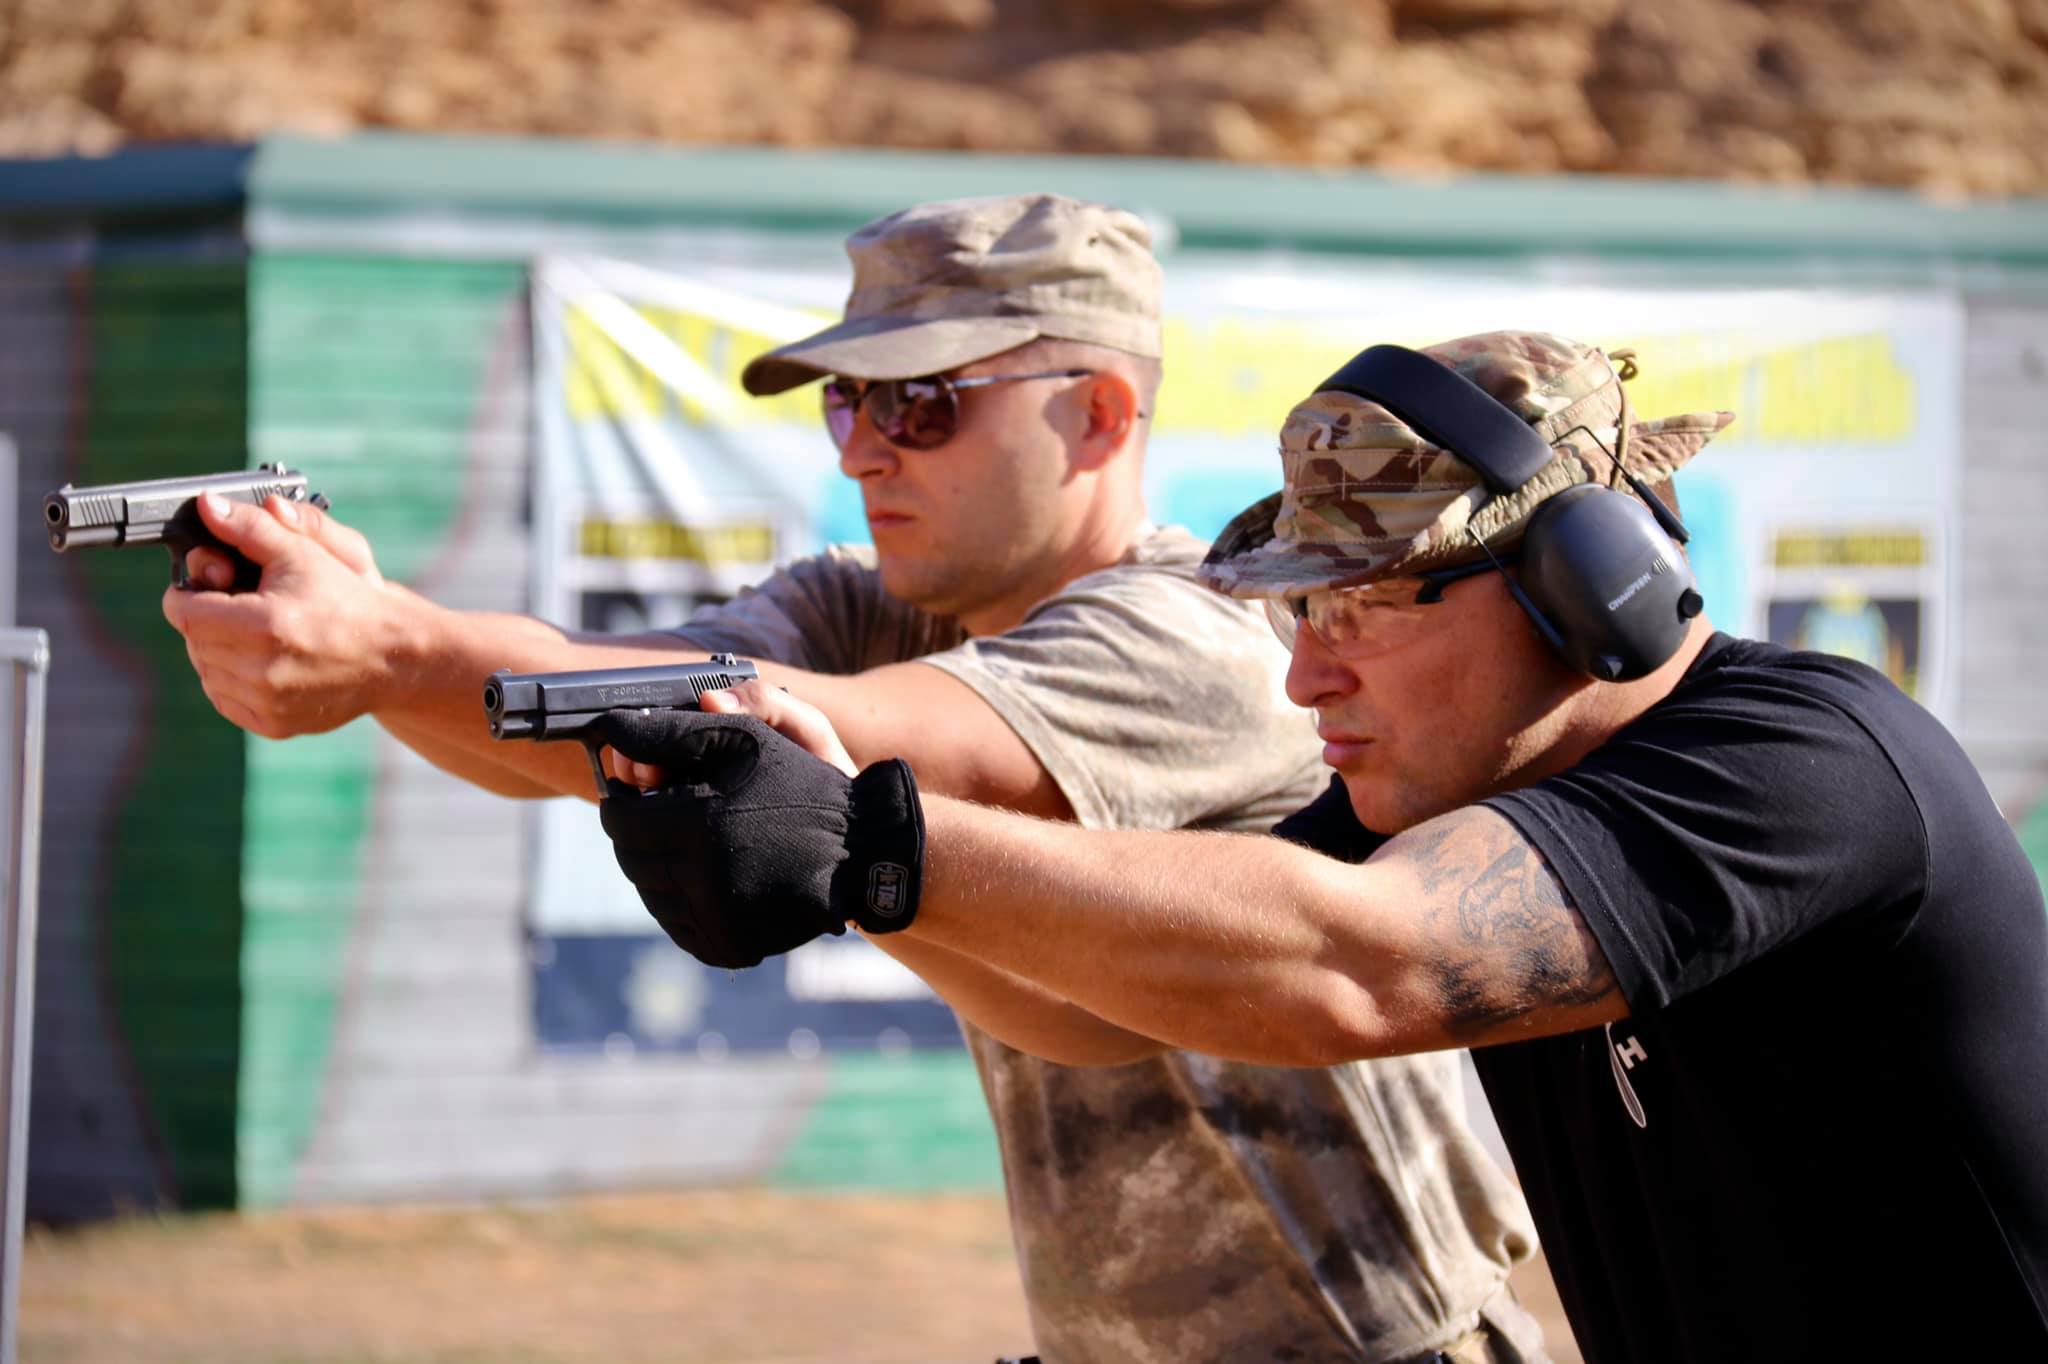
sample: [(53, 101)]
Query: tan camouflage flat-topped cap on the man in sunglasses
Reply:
[(951, 284)]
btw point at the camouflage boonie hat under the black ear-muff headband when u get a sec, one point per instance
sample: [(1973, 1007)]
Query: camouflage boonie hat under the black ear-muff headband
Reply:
[(1365, 497)]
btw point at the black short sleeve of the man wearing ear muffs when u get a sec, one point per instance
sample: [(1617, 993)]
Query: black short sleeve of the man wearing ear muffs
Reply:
[(1738, 818)]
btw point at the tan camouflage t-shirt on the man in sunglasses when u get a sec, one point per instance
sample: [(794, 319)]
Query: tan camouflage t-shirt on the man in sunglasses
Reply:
[(1183, 1209)]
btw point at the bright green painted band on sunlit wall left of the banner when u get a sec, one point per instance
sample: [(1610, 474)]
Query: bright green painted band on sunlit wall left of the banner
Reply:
[(364, 372)]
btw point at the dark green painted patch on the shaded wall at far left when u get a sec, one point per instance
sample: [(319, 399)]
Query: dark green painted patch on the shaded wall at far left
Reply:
[(167, 386)]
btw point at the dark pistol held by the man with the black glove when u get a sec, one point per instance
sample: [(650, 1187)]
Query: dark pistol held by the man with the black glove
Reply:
[(562, 706)]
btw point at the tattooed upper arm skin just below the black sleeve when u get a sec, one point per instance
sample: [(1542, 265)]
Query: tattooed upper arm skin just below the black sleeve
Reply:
[(1504, 937)]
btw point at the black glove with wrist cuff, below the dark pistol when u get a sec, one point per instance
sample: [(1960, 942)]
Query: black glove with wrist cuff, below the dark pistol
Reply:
[(757, 847)]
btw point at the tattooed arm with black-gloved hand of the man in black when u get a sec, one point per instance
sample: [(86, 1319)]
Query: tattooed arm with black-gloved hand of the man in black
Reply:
[(1248, 947)]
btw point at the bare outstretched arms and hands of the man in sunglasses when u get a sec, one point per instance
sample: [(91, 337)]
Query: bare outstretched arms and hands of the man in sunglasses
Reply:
[(327, 640)]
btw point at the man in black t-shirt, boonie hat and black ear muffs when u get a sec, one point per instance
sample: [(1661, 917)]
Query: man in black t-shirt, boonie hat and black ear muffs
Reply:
[(1754, 972)]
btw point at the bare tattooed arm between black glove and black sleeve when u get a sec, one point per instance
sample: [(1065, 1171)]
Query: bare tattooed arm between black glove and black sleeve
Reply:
[(1453, 935)]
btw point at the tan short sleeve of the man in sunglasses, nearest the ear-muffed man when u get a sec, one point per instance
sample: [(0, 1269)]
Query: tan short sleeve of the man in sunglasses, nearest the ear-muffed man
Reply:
[(1152, 701)]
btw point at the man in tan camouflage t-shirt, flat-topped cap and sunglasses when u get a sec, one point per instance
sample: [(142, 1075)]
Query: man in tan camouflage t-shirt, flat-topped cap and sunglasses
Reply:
[(1029, 640)]
